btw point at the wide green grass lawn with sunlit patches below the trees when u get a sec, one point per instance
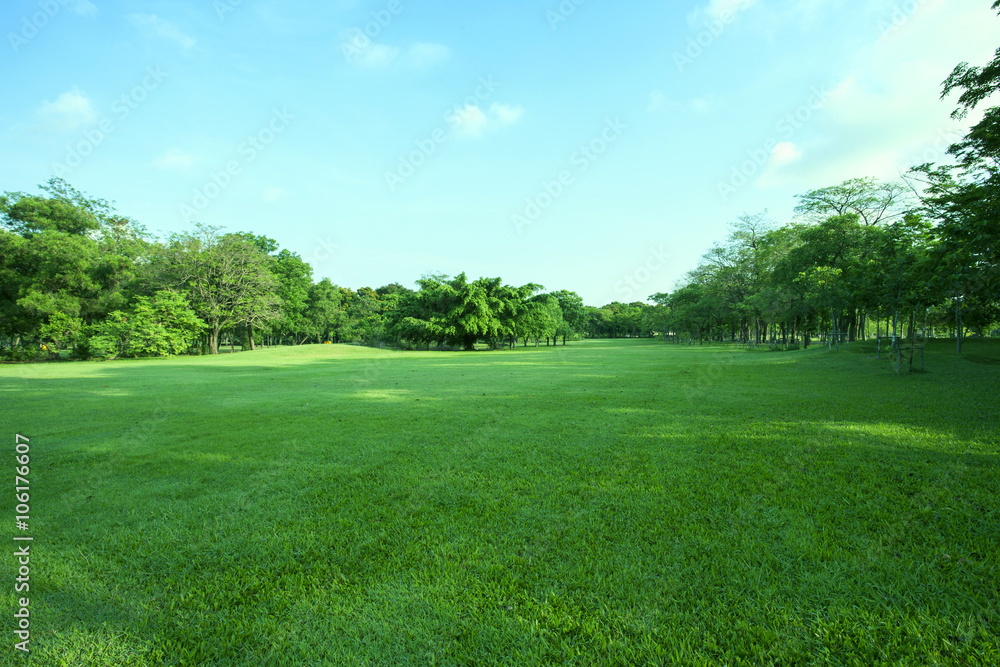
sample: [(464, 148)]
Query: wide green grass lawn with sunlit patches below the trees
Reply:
[(607, 503)]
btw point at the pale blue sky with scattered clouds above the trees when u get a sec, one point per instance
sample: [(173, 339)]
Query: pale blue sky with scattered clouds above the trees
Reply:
[(579, 144)]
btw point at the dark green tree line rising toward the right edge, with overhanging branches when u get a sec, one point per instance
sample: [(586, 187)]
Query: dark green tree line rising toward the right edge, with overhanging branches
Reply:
[(863, 258)]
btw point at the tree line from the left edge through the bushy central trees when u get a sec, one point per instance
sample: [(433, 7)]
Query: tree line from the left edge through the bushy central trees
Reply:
[(77, 275)]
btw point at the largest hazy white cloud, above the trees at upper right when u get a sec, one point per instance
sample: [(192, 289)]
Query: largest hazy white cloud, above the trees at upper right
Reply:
[(886, 116)]
